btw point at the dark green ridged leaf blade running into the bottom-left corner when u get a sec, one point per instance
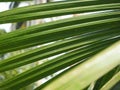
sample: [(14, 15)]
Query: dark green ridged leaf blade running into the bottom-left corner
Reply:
[(54, 65)]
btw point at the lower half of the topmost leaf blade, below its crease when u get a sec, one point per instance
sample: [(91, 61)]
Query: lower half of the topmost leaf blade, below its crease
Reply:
[(57, 12)]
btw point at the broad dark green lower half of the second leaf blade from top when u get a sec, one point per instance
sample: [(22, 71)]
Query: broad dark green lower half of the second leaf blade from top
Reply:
[(21, 42)]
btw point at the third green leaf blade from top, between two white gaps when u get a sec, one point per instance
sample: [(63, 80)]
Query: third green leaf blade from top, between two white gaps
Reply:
[(57, 48)]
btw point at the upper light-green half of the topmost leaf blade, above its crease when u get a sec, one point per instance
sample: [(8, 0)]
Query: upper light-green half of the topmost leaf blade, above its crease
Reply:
[(54, 6)]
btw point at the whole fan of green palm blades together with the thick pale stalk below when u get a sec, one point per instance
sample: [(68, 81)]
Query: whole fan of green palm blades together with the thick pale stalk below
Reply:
[(74, 40)]
